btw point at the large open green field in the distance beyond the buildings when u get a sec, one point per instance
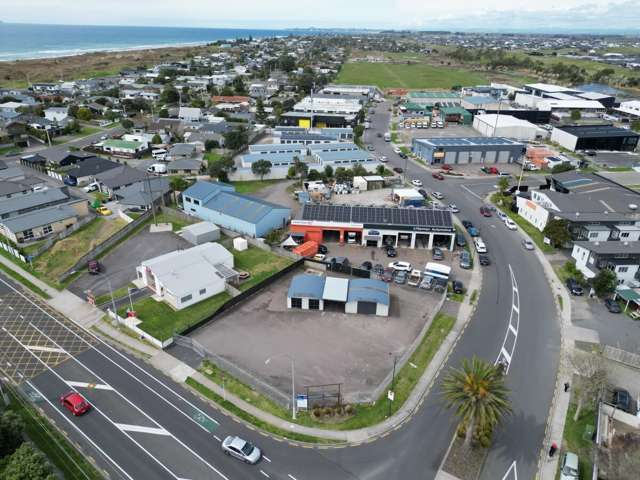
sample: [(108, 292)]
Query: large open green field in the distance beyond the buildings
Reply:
[(419, 75)]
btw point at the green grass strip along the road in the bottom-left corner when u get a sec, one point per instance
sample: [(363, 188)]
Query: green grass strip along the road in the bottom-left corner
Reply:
[(59, 451)]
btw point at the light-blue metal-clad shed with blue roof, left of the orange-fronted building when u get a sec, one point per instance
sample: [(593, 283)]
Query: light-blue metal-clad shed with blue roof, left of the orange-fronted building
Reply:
[(220, 204)]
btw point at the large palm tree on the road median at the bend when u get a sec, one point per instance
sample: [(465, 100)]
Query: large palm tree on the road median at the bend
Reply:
[(479, 395)]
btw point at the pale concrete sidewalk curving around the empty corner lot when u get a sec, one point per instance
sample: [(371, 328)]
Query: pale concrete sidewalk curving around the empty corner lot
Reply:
[(86, 315)]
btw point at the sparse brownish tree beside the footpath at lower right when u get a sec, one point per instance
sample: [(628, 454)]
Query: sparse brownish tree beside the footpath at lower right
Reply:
[(592, 379)]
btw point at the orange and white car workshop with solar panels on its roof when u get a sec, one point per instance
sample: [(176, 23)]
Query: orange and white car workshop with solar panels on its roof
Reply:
[(376, 226)]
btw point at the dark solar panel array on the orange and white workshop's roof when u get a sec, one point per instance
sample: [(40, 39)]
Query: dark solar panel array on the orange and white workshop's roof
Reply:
[(422, 217)]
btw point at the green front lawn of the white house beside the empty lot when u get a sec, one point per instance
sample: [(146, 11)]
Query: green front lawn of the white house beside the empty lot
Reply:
[(162, 321)]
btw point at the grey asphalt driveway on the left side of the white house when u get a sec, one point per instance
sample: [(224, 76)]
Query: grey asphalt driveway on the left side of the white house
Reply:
[(119, 266)]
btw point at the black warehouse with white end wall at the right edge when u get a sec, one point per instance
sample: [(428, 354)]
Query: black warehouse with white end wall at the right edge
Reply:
[(595, 137)]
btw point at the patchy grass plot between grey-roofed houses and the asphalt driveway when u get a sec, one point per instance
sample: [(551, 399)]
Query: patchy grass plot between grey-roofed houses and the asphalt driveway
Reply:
[(64, 253)]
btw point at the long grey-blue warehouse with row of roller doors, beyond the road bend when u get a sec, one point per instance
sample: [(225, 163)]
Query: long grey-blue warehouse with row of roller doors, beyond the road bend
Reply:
[(464, 150)]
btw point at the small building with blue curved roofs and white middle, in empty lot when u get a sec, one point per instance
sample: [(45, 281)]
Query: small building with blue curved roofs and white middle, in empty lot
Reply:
[(358, 295)]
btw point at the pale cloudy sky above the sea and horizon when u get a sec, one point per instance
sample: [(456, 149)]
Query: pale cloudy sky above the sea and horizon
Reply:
[(490, 15)]
